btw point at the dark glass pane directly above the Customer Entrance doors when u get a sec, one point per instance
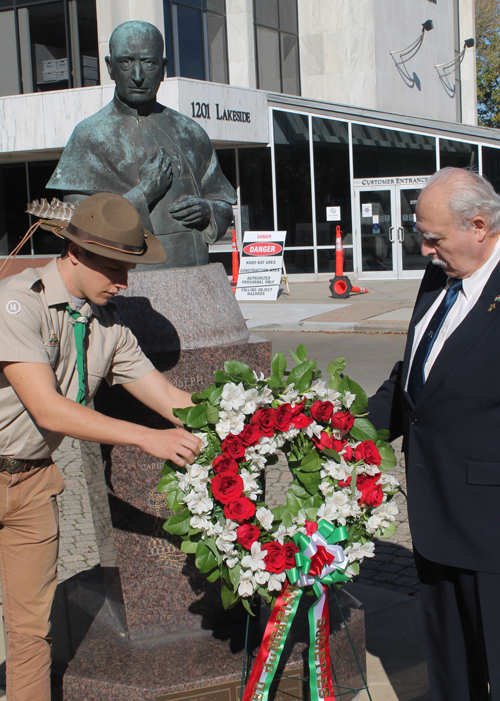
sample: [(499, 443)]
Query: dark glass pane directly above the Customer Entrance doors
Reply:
[(381, 152)]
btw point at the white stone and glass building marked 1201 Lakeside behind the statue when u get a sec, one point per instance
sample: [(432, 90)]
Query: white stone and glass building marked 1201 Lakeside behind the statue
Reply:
[(316, 123)]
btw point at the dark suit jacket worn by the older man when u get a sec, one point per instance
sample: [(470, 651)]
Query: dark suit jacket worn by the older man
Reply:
[(452, 435)]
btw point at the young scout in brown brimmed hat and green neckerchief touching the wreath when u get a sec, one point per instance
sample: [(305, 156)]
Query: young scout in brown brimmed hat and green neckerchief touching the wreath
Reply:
[(59, 339)]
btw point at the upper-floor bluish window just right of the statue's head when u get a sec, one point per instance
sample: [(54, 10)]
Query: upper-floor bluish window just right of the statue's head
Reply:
[(195, 38)]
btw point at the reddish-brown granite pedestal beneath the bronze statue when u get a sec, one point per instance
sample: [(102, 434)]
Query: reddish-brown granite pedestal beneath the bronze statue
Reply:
[(147, 625)]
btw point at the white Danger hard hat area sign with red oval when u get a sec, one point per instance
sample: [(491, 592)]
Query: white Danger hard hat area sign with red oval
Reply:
[(260, 265)]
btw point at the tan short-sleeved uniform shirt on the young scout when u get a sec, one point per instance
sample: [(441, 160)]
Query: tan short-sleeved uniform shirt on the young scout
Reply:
[(35, 328)]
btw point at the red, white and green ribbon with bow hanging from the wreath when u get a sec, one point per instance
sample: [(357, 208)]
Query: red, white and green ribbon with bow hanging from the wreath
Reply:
[(319, 563)]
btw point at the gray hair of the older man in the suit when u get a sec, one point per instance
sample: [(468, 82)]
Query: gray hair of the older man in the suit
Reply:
[(469, 195)]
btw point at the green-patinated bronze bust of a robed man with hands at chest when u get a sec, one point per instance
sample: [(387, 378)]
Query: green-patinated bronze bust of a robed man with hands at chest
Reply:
[(159, 159)]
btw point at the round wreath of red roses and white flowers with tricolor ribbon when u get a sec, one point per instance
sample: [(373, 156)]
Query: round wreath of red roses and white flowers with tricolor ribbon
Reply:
[(339, 500)]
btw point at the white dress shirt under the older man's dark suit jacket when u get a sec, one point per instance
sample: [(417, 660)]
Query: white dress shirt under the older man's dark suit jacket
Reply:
[(467, 298)]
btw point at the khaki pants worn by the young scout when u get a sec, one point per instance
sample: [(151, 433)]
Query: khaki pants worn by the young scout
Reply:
[(29, 546)]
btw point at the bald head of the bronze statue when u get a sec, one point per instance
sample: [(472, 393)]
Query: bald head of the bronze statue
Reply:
[(136, 62)]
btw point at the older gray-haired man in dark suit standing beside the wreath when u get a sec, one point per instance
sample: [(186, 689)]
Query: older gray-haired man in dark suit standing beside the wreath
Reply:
[(444, 397)]
